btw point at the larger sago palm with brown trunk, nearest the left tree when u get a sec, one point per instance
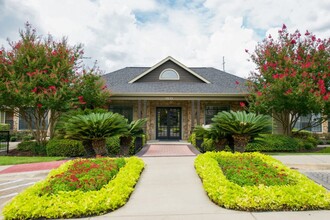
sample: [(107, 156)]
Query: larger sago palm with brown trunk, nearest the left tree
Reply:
[(95, 127)]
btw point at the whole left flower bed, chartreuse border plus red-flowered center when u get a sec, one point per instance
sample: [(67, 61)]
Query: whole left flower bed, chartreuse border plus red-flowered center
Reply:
[(36, 202)]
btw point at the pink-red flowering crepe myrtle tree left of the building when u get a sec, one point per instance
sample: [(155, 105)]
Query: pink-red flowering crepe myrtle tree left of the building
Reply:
[(41, 77)]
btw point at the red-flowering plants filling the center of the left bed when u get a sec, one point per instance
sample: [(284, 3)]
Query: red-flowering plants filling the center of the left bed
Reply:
[(85, 175)]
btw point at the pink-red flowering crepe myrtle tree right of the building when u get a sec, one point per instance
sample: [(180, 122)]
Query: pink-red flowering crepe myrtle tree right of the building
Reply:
[(292, 78)]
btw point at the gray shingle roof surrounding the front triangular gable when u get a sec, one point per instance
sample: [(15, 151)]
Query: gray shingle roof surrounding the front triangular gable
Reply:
[(221, 83)]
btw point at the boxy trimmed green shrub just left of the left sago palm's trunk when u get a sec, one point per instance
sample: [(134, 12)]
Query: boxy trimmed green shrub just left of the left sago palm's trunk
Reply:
[(65, 148)]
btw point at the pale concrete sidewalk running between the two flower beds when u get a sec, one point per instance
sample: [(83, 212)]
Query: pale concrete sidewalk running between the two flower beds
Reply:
[(169, 188)]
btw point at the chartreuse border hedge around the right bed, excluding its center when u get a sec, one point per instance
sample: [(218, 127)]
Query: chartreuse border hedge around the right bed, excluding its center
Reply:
[(304, 195)]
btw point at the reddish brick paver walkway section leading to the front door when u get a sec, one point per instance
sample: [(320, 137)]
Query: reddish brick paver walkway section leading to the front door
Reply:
[(167, 150)]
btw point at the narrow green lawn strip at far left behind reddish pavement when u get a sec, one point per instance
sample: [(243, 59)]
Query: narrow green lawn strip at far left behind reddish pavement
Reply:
[(11, 160)]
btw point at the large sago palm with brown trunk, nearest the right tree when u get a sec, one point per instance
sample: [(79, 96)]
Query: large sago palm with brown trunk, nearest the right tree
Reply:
[(242, 126)]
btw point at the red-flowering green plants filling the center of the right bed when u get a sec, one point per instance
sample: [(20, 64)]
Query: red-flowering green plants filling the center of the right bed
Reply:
[(248, 170)]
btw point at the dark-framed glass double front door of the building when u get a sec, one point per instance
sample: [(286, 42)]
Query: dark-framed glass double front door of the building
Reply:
[(168, 123)]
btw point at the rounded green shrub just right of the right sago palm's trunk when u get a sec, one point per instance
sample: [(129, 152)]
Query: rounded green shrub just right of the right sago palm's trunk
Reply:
[(274, 142)]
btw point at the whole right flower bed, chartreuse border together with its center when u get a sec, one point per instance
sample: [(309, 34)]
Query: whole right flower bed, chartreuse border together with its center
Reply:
[(291, 190)]
